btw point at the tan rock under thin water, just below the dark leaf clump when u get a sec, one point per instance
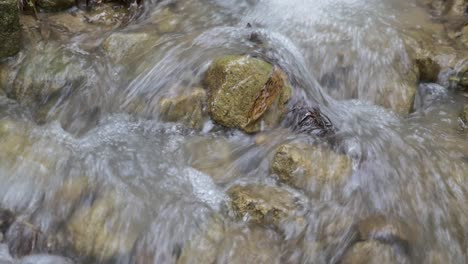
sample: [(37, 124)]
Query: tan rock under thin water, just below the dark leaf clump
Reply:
[(310, 166)]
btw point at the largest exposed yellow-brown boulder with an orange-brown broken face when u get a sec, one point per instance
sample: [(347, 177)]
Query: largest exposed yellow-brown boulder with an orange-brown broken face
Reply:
[(246, 93)]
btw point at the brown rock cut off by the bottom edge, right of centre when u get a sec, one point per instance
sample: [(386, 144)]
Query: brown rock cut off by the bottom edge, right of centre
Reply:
[(372, 252)]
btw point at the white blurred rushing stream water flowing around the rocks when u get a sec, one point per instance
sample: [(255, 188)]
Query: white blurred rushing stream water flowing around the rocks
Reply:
[(412, 167)]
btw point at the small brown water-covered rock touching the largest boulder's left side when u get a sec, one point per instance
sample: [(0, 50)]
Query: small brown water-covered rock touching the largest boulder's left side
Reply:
[(188, 109)]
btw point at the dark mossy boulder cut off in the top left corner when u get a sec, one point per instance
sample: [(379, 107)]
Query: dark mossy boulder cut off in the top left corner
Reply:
[(10, 30)]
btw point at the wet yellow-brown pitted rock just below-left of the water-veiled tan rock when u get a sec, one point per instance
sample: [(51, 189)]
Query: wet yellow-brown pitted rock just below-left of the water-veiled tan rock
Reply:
[(263, 204)]
